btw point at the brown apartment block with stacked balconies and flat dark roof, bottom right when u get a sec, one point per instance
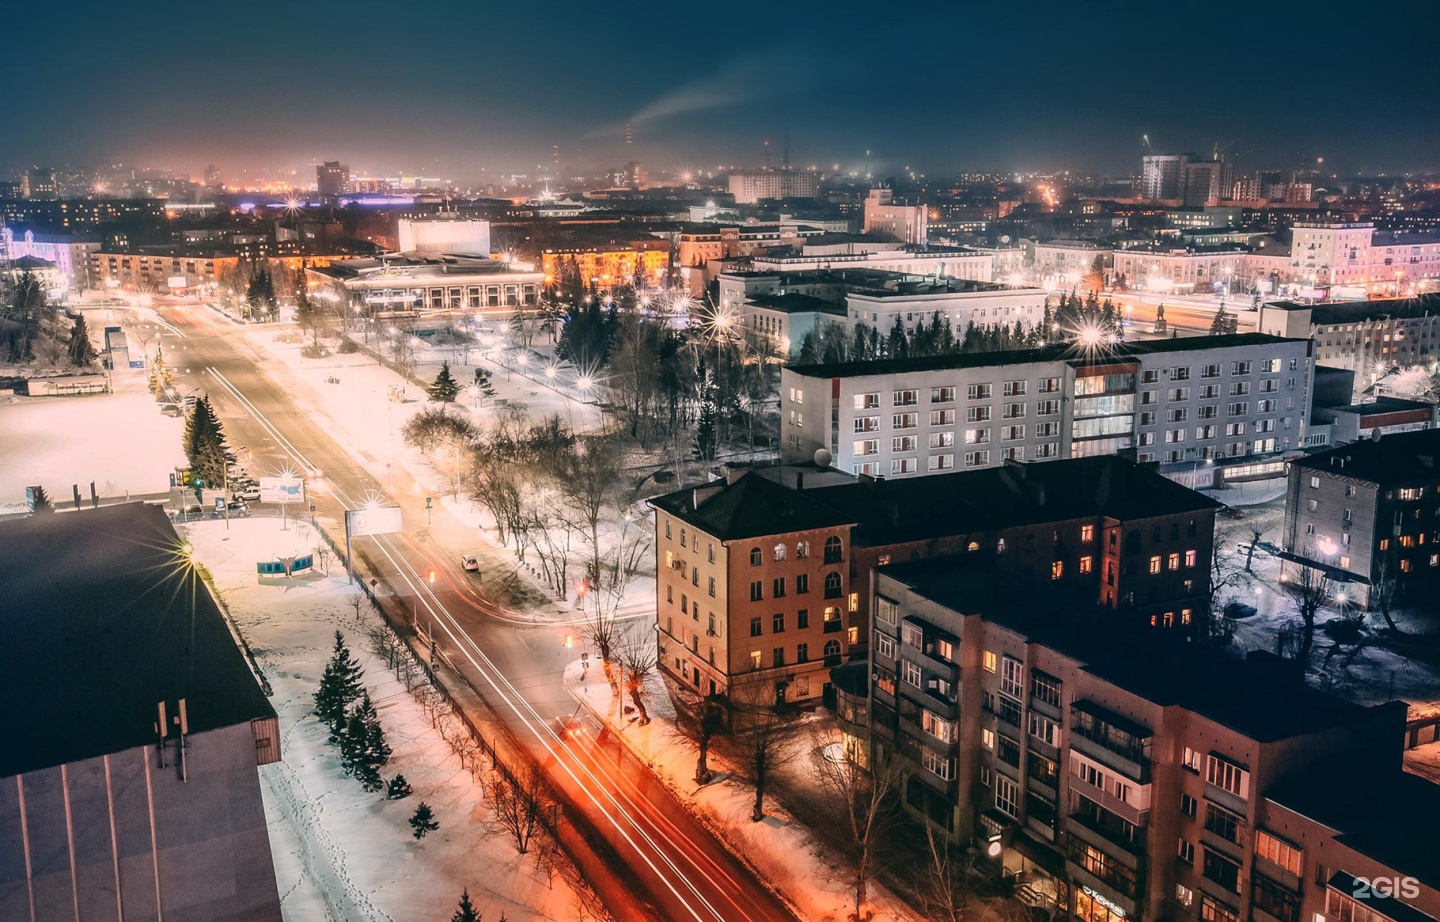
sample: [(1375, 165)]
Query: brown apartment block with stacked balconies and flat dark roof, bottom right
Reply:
[(1112, 776)]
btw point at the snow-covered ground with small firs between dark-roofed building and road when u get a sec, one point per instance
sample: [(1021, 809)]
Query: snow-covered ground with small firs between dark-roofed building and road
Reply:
[(342, 854)]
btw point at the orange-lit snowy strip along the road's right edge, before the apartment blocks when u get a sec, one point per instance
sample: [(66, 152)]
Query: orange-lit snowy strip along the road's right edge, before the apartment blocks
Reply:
[(784, 852)]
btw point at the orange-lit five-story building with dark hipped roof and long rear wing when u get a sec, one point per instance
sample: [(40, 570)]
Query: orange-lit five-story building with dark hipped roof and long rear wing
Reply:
[(768, 571)]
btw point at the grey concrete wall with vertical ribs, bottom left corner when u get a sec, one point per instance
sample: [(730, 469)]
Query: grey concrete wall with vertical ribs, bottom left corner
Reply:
[(107, 838)]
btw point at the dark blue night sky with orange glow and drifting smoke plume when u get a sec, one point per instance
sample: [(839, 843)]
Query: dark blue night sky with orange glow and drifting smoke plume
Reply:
[(457, 89)]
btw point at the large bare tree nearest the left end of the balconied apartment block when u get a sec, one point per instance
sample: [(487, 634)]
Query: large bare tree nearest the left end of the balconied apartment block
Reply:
[(860, 806)]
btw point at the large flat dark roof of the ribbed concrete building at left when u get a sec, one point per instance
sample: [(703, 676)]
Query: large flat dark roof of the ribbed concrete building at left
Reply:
[(103, 620)]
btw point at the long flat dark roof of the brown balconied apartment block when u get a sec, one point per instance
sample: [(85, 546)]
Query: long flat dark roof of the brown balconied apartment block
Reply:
[(1258, 698)]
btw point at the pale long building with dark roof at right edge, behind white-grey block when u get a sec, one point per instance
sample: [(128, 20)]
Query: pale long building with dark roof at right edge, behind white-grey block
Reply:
[(1369, 338)]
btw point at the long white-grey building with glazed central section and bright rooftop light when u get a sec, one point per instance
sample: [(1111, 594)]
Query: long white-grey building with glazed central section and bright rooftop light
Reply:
[(1203, 408)]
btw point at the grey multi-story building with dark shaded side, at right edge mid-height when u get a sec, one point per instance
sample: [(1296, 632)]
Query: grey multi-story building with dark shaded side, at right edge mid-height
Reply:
[(1366, 516)]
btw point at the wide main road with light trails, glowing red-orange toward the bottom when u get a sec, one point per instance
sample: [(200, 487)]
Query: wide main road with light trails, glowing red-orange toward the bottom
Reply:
[(643, 852)]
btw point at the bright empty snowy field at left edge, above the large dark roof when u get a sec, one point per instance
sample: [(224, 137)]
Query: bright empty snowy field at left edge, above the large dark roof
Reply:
[(119, 440)]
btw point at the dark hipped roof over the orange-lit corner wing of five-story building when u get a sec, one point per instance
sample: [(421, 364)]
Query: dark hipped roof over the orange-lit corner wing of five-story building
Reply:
[(750, 508)]
